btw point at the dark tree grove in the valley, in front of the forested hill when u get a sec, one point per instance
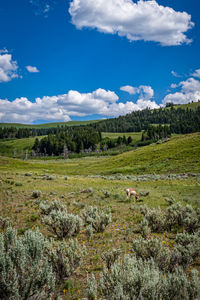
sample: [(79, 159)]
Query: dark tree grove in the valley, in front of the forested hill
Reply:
[(77, 140)]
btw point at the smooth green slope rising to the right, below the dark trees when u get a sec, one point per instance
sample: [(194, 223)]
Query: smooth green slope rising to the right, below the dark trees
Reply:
[(179, 155)]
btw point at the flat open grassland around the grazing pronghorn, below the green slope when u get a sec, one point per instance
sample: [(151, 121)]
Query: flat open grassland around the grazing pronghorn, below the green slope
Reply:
[(17, 203)]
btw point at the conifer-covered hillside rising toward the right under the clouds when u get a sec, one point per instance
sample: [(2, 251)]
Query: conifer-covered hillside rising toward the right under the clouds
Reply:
[(180, 120)]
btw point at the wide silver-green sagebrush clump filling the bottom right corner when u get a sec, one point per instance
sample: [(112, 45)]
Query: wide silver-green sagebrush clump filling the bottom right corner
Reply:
[(133, 278)]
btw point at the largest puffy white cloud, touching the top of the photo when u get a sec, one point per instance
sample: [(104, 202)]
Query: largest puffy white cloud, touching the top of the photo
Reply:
[(141, 20)]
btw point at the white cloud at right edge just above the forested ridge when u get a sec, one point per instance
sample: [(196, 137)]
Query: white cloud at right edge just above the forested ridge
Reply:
[(189, 91)]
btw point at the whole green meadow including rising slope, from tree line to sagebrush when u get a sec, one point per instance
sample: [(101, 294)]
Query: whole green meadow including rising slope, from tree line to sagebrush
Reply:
[(107, 178)]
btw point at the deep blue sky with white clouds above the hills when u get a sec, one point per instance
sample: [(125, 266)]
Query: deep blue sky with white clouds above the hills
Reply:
[(87, 59)]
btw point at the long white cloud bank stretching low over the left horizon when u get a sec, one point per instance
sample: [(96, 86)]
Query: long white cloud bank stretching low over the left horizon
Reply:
[(73, 103)]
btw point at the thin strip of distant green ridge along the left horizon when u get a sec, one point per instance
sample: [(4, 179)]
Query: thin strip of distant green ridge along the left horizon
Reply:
[(48, 125)]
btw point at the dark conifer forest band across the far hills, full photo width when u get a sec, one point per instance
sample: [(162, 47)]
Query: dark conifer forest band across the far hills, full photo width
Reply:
[(180, 120)]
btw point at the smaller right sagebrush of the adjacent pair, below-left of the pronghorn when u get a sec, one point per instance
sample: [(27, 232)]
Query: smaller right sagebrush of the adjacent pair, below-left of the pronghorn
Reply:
[(98, 219)]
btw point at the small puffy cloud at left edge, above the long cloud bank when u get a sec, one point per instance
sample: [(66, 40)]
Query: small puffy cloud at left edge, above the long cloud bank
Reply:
[(8, 67)]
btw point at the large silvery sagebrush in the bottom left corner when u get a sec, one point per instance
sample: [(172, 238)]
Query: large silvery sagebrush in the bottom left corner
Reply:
[(25, 272)]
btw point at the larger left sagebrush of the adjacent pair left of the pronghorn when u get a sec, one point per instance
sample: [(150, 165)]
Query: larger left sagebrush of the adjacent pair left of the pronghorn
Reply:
[(63, 224)]
